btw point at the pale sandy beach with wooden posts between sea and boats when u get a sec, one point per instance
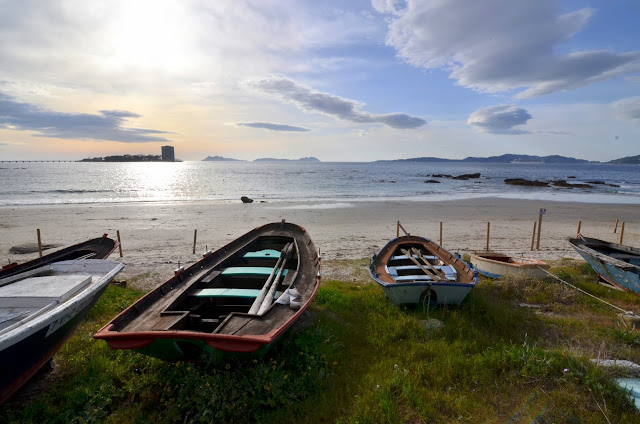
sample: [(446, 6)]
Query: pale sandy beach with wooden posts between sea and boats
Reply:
[(158, 237)]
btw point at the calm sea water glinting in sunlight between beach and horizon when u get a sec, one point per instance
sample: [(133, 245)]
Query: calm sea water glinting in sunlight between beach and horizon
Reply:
[(87, 183)]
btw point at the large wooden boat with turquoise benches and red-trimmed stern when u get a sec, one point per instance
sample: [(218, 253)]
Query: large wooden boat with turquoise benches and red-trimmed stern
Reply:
[(235, 301)]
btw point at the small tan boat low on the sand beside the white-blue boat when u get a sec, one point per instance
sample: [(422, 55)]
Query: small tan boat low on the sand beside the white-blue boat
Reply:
[(495, 265)]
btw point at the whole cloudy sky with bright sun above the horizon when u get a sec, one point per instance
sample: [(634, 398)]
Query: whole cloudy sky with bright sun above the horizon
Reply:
[(337, 80)]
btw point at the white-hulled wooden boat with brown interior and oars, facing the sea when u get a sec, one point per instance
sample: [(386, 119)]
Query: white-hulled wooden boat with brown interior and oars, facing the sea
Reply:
[(414, 269)]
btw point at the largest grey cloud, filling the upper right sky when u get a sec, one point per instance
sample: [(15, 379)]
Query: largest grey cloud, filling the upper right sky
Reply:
[(500, 45)]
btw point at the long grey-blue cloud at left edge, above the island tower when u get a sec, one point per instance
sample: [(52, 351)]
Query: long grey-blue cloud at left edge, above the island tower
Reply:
[(108, 125)]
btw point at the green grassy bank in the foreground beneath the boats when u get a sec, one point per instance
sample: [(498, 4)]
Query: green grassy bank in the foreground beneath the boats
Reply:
[(358, 358)]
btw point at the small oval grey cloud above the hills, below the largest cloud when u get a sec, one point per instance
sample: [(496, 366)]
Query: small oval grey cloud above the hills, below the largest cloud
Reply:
[(499, 119)]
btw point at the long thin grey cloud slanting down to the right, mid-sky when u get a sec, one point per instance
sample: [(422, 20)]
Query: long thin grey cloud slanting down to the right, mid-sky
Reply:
[(315, 101)]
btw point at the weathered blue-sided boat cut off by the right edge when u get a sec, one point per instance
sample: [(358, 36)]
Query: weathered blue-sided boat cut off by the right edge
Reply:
[(615, 263)]
